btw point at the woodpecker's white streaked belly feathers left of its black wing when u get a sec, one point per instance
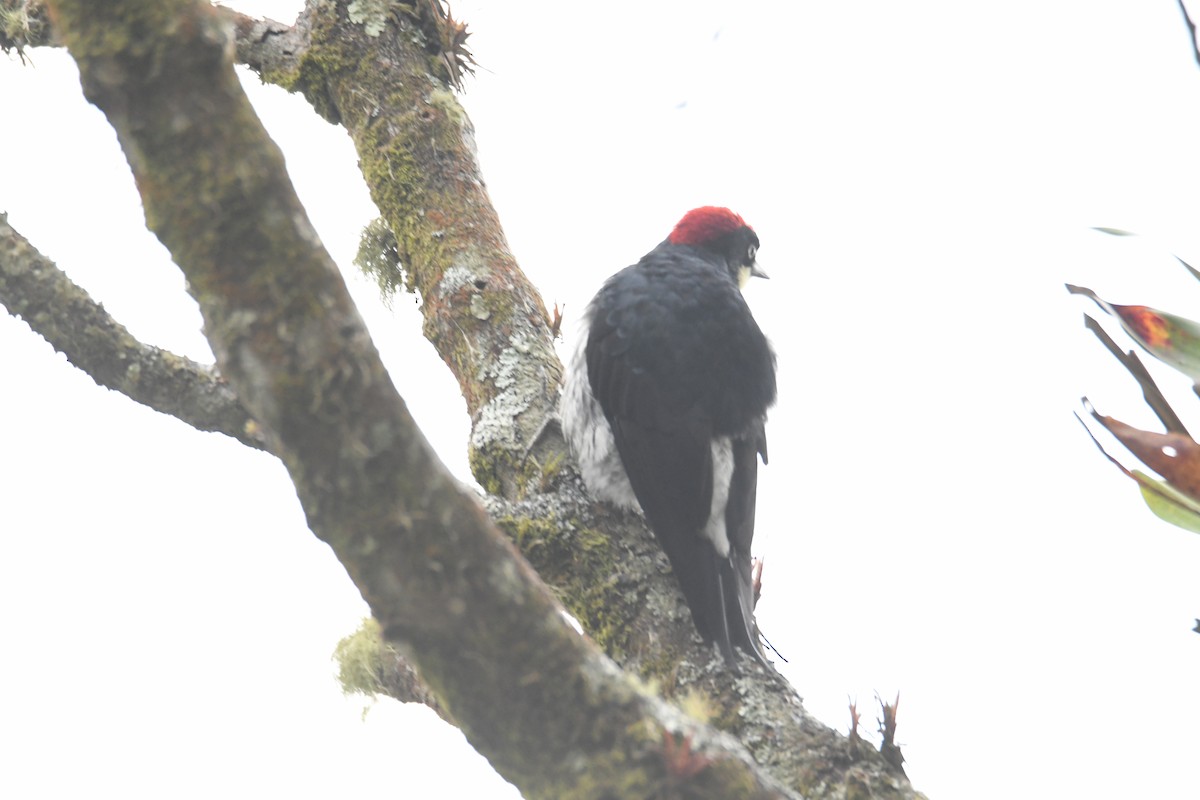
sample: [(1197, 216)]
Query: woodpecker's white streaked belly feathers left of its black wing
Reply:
[(589, 435)]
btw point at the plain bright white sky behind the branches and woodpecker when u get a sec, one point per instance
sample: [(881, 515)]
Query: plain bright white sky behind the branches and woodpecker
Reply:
[(935, 522)]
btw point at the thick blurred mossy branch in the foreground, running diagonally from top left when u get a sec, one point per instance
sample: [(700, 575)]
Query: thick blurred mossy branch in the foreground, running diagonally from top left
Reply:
[(445, 585)]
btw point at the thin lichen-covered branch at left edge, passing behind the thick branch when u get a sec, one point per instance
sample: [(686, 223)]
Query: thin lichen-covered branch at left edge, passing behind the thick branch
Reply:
[(33, 288)]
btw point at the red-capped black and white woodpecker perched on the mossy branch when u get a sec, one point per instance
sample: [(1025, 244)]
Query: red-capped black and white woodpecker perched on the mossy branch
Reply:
[(664, 406)]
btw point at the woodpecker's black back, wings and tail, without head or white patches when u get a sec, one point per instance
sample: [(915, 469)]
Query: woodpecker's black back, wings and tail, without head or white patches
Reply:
[(665, 356)]
